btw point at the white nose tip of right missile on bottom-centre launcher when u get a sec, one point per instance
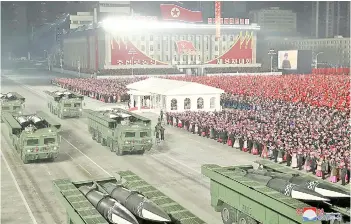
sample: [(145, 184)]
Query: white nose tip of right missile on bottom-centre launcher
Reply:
[(152, 212)]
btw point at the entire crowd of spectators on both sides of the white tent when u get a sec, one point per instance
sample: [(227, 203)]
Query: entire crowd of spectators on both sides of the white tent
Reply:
[(302, 119)]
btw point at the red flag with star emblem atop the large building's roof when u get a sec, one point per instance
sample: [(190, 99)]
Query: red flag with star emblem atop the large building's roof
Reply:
[(174, 12)]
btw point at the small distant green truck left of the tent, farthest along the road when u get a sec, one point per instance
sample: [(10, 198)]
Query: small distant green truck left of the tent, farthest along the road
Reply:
[(65, 104)]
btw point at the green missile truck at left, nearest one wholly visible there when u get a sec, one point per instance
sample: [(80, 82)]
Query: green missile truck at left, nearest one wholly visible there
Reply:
[(34, 136)]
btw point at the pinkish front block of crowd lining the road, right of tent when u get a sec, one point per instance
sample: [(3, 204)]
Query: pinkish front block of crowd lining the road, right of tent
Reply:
[(306, 137)]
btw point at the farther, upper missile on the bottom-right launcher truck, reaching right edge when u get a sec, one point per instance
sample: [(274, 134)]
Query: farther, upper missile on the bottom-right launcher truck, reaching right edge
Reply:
[(316, 186)]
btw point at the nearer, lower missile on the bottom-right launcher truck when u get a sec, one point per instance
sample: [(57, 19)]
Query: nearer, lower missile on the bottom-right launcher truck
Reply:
[(287, 188)]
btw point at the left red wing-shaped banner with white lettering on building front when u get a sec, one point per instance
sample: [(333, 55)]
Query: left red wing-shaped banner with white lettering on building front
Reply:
[(125, 53)]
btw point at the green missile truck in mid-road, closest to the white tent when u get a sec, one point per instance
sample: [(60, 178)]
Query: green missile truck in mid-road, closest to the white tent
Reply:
[(120, 130)]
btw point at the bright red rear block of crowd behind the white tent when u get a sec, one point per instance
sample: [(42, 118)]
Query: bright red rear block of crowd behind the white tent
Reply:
[(328, 90)]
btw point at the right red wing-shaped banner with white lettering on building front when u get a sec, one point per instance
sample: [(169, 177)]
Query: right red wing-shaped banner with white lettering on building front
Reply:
[(239, 53)]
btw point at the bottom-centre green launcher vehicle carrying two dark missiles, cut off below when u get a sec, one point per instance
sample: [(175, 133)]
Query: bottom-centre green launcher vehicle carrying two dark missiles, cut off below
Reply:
[(129, 200)]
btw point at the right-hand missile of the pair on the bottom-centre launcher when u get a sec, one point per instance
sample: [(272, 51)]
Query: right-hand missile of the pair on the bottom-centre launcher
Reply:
[(138, 204)]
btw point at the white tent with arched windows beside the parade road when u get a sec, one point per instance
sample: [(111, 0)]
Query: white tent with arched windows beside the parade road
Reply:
[(173, 95)]
